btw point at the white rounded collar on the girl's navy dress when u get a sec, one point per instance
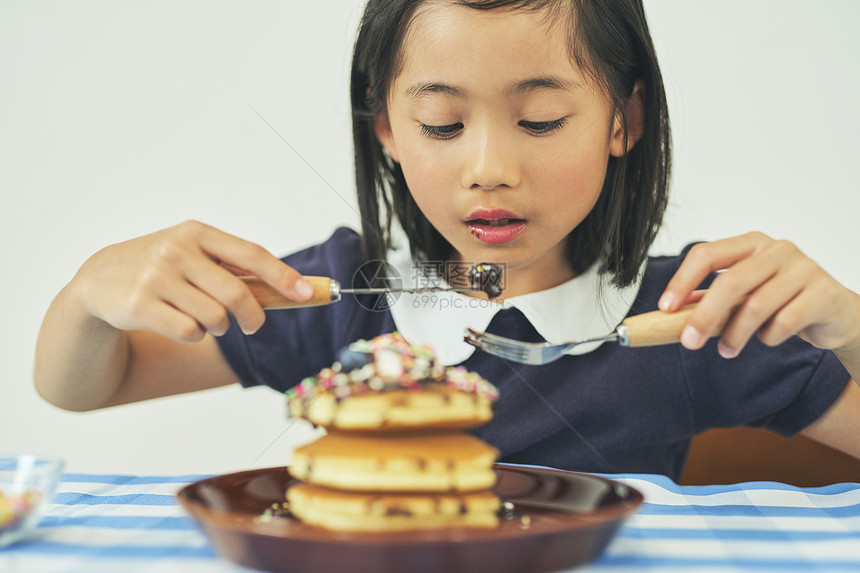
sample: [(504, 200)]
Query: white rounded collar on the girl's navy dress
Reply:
[(578, 309)]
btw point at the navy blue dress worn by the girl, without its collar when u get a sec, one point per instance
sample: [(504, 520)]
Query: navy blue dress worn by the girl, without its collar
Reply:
[(612, 410)]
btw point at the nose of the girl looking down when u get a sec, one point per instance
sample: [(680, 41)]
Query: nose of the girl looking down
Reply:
[(490, 163)]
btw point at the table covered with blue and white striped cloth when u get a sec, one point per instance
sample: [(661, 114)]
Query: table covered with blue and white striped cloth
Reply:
[(132, 524)]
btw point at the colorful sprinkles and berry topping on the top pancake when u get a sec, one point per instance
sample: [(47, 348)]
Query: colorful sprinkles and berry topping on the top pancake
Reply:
[(386, 363)]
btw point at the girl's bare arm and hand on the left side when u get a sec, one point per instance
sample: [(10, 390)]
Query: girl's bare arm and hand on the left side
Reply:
[(137, 320)]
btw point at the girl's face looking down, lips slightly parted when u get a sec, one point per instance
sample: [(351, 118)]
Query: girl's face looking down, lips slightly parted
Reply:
[(503, 141)]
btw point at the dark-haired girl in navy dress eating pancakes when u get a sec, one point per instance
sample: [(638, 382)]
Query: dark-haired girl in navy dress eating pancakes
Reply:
[(530, 134)]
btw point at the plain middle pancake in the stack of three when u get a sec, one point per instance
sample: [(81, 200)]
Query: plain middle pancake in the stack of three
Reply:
[(416, 462)]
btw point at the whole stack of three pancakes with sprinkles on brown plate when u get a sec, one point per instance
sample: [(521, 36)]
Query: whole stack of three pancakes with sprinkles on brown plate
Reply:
[(395, 456)]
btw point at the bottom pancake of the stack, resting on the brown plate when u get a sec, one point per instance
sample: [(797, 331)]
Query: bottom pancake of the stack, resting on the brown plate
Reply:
[(350, 511)]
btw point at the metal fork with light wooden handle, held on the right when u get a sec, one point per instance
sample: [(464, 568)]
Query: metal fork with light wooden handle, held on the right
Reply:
[(648, 329)]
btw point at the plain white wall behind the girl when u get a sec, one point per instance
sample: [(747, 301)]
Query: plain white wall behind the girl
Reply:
[(121, 118)]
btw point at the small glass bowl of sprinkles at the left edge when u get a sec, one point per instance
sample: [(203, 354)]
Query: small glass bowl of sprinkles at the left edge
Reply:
[(27, 484)]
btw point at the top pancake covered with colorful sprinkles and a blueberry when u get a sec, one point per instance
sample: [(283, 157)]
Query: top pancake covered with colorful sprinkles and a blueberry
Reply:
[(387, 384)]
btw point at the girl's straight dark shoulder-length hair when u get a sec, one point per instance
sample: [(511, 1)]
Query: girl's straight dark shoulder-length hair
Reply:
[(610, 41)]
